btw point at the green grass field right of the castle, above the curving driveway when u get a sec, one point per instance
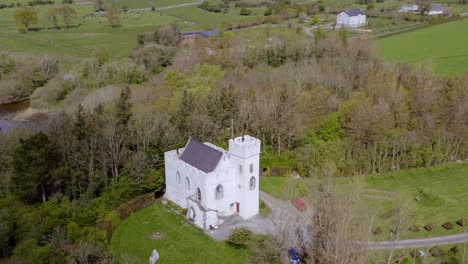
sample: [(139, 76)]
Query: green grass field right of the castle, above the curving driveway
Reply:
[(442, 192)]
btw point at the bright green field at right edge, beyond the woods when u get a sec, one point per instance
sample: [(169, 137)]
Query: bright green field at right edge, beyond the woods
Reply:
[(444, 45)]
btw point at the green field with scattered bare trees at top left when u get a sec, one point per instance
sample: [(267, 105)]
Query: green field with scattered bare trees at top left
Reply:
[(87, 34)]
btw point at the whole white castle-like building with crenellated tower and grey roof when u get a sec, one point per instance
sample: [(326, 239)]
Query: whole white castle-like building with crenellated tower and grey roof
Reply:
[(213, 183)]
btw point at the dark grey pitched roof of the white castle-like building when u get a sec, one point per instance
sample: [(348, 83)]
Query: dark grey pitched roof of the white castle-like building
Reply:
[(201, 156)]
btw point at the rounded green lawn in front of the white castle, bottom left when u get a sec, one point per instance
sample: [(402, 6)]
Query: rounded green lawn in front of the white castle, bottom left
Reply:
[(180, 241)]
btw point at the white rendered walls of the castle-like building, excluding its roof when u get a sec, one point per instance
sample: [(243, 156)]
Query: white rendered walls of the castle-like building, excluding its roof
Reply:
[(234, 181)]
